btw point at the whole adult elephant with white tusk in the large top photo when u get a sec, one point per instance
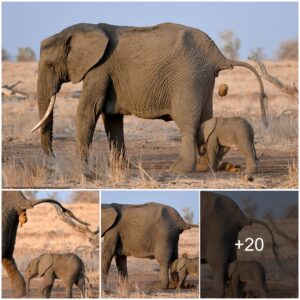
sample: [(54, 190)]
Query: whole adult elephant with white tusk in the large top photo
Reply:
[(162, 72)]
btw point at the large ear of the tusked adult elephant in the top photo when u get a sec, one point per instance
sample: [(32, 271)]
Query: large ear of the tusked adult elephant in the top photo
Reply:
[(86, 48)]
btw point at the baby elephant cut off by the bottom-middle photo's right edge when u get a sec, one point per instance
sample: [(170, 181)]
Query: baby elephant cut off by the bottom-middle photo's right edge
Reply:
[(184, 266)]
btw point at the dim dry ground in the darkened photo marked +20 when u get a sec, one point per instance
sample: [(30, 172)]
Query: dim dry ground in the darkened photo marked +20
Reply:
[(282, 283)]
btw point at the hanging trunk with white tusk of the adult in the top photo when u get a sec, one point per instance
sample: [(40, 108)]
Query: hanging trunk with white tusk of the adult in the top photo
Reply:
[(46, 102)]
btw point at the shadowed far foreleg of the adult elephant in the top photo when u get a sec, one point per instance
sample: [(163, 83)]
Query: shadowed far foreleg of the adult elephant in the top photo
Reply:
[(114, 129)]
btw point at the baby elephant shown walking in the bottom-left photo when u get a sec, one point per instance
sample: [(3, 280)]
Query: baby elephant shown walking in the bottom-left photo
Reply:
[(67, 267)]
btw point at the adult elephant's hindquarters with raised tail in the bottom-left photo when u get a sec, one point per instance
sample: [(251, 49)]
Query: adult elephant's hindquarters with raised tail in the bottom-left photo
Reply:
[(14, 206)]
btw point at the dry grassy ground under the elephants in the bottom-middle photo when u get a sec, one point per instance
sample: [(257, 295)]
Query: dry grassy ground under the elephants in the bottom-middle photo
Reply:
[(143, 274)]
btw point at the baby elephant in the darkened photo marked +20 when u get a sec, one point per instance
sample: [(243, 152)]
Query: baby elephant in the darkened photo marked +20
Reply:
[(242, 273)]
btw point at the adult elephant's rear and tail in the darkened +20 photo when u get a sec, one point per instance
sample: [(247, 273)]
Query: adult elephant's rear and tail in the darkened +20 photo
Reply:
[(221, 221)]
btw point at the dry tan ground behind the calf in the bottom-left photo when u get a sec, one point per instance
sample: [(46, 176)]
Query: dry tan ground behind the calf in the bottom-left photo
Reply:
[(44, 232)]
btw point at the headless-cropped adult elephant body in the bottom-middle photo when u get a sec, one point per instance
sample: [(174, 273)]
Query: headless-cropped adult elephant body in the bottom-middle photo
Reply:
[(149, 230)]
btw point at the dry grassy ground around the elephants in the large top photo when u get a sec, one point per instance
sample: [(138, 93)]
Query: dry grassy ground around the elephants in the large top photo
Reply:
[(152, 145)]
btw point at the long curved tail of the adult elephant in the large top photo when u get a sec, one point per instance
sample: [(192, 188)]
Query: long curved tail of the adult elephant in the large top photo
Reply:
[(230, 64)]
